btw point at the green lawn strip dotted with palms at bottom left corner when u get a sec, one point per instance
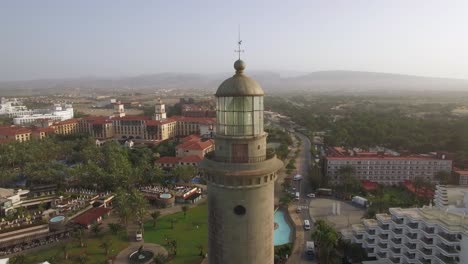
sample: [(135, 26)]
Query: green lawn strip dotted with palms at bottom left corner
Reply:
[(95, 254)]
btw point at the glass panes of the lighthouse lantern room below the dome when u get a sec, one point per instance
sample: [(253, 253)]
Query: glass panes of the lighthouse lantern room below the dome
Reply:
[(239, 116)]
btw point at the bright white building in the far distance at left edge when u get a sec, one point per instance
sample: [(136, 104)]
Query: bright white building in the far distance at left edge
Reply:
[(58, 113)]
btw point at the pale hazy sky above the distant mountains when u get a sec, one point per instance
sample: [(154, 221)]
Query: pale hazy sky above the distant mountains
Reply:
[(56, 39)]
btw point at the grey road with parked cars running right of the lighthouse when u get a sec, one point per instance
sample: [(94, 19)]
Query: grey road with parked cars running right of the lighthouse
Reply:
[(303, 165)]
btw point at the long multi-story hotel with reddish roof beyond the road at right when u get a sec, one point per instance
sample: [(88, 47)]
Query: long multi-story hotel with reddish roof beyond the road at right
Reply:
[(387, 169)]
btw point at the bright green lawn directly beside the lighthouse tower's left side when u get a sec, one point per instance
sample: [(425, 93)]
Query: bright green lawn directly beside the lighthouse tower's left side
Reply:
[(185, 232)]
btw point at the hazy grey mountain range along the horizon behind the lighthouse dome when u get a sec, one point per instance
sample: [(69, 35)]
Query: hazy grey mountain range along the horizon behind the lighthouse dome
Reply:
[(322, 81)]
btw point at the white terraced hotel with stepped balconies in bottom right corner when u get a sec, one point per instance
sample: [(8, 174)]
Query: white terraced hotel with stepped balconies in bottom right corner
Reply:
[(429, 235)]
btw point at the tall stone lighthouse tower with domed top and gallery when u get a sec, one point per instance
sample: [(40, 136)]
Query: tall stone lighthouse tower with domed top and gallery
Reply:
[(240, 176)]
